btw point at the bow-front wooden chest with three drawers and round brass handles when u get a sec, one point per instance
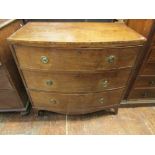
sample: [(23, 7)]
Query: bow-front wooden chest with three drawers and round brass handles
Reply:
[(75, 68)]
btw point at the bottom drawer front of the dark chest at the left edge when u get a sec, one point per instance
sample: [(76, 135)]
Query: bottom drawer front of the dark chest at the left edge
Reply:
[(9, 100)]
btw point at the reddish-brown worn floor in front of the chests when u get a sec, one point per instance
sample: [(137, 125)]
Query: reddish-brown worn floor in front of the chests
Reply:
[(128, 121)]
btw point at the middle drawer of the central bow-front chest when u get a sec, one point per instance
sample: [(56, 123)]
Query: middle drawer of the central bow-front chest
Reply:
[(76, 82)]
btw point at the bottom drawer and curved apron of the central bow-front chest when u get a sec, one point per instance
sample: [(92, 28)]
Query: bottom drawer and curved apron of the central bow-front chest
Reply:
[(74, 103)]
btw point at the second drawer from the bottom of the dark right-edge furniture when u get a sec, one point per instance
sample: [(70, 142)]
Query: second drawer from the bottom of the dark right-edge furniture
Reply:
[(145, 81)]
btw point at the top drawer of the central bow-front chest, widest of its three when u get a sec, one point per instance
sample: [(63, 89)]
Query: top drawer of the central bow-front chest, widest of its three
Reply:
[(75, 59)]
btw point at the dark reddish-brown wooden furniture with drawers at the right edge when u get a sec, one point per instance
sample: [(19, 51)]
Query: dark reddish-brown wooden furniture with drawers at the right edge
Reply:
[(141, 89)]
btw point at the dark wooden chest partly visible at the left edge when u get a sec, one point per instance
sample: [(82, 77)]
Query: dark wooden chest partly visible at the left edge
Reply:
[(12, 92)]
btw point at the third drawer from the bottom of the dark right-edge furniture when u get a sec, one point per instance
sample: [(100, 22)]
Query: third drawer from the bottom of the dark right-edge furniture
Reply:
[(148, 69)]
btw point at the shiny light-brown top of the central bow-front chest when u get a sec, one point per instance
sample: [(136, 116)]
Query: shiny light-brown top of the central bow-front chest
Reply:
[(86, 33)]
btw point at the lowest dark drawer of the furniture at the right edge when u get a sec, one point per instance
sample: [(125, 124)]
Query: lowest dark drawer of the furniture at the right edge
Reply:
[(142, 94)]
